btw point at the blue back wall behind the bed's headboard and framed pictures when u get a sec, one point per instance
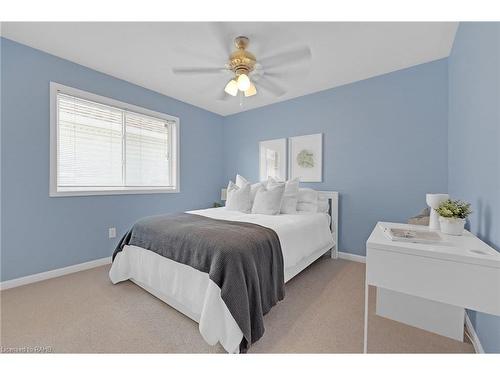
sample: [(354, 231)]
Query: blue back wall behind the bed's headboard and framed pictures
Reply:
[(385, 144)]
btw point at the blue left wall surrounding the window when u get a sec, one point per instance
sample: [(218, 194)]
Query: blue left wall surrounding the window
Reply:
[(42, 233)]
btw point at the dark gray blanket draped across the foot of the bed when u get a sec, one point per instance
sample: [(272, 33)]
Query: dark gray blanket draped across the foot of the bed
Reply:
[(243, 259)]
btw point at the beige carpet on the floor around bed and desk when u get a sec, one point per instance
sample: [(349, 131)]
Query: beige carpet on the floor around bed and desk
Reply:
[(322, 313)]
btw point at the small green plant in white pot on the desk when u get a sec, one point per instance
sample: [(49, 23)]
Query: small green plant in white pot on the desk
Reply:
[(452, 215)]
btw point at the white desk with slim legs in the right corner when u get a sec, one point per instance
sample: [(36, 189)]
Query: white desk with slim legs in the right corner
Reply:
[(430, 285)]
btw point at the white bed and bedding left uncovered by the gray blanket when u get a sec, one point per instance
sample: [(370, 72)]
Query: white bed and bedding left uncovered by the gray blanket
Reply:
[(303, 239)]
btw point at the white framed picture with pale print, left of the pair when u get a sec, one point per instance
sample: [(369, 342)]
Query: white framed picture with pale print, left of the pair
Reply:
[(272, 159)]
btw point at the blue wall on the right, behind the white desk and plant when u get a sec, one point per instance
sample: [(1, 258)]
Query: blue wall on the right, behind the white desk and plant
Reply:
[(474, 141)]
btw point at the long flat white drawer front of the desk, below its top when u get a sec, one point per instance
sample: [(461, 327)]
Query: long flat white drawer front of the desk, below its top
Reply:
[(471, 286)]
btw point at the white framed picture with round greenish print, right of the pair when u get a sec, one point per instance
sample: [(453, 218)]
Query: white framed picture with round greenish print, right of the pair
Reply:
[(306, 157)]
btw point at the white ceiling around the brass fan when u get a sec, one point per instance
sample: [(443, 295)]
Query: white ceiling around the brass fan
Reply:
[(144, 53)]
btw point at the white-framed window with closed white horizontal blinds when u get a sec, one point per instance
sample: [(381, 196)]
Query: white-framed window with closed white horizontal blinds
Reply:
[(102, 146)]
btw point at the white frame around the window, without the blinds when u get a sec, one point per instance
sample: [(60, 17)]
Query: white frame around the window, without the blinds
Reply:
[(174, 132)]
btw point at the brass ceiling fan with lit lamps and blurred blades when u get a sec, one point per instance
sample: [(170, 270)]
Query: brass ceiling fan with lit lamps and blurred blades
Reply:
[(250, 74)]
